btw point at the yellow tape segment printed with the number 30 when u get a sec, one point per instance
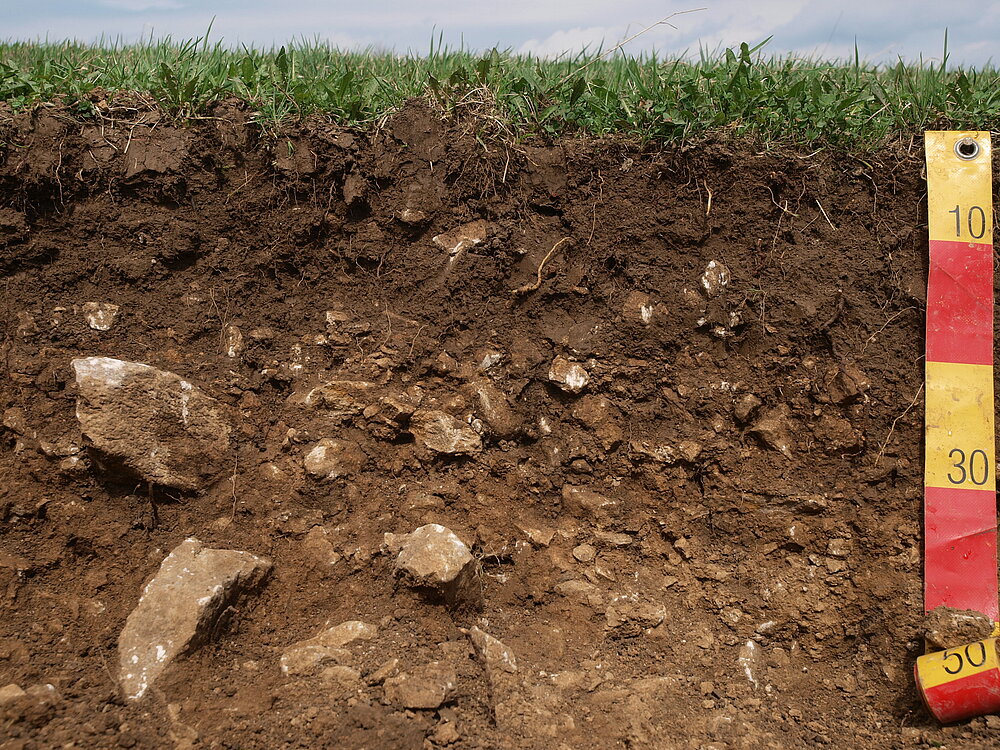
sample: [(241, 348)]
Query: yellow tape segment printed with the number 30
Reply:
[(959, 450)]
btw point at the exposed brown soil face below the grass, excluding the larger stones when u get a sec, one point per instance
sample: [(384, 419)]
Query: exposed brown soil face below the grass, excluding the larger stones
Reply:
[(811, 552)]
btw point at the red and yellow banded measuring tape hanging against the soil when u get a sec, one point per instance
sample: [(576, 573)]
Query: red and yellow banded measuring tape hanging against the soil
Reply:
[(960, 512)]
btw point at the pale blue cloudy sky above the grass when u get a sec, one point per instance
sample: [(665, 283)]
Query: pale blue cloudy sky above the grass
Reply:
[(883, 30)]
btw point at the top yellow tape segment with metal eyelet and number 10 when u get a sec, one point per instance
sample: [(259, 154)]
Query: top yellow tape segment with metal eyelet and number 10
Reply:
[(959, 208)]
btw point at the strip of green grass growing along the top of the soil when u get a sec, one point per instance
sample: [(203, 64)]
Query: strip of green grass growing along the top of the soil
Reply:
[(775, 99)]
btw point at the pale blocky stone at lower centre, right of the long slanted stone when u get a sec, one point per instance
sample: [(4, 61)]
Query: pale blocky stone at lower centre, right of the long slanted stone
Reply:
[(434, 557)]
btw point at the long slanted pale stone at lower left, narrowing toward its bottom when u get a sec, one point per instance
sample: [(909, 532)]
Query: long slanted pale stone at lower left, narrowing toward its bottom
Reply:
[(182, 607)]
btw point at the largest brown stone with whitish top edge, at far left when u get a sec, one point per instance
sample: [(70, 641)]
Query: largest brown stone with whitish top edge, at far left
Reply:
[(152, 422)]
